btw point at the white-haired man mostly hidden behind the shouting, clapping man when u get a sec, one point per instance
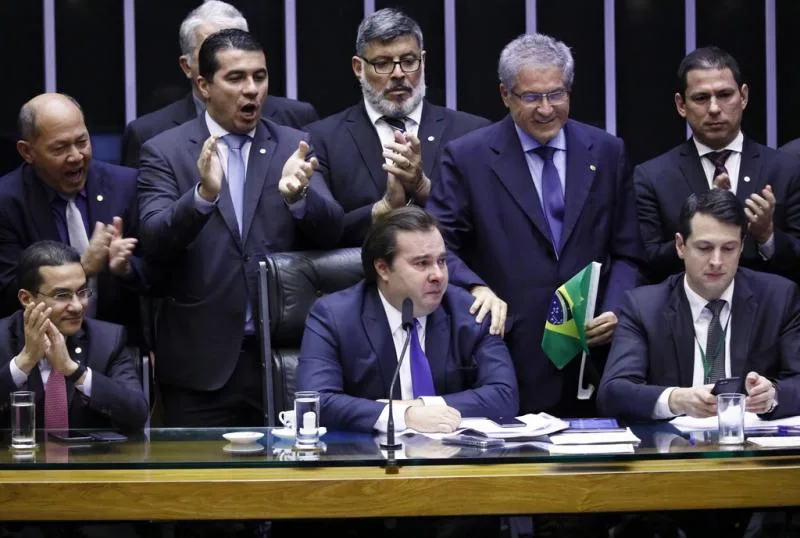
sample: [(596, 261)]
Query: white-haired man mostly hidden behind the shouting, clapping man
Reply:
[(208, 18)]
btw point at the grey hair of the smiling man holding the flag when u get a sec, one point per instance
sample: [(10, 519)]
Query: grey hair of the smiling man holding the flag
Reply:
[(535, 50)]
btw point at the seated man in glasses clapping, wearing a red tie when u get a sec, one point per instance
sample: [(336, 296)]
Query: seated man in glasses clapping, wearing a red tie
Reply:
[(79, 368)]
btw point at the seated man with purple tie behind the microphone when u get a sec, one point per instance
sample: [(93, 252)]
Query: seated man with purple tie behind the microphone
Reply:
[(353, 338)]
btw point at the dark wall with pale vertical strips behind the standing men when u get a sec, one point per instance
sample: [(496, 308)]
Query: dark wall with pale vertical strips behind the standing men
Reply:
[(649, 46)]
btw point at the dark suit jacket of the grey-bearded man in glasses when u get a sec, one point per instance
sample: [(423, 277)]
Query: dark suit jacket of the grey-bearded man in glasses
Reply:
[(350, 158)]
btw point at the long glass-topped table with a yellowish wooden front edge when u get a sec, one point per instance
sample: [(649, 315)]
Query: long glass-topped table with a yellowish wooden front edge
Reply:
[(178, 474)]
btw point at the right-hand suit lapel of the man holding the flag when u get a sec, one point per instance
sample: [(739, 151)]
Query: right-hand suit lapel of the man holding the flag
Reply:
[(581, 170)]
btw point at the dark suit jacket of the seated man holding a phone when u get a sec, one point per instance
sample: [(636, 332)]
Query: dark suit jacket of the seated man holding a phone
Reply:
[(654, 344)]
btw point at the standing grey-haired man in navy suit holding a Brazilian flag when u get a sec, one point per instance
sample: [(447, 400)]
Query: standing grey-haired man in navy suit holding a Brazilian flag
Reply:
[(528, 202)]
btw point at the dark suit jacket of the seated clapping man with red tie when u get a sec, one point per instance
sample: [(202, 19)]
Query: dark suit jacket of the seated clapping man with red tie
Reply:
[(117, 398)]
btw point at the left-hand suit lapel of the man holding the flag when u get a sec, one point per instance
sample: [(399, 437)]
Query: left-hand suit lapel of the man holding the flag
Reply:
[(512, 170)]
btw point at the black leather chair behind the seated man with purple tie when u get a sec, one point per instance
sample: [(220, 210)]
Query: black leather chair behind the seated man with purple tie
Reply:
[(289, 283)]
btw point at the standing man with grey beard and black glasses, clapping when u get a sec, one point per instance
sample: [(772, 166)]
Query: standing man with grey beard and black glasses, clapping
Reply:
[(384, 151)]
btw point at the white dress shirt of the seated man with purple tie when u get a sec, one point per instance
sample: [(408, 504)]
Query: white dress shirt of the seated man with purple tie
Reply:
[(395, 319)]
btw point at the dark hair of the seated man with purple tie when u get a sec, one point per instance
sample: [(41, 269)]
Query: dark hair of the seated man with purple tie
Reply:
[(381, 240)]
